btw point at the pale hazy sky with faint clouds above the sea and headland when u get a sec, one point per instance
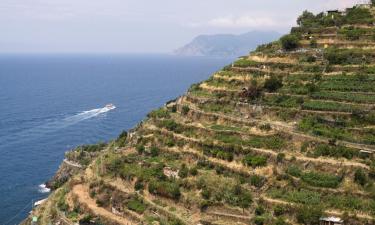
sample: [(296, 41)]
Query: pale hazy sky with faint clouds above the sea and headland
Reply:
[(139, 26)]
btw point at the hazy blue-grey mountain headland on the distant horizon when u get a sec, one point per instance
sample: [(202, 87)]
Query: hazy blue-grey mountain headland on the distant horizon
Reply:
[(226, 44)]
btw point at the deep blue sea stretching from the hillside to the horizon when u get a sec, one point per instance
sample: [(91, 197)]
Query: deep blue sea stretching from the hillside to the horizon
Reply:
[(52, 103)]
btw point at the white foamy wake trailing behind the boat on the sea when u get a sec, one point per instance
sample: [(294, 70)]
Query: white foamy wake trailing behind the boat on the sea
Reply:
[(40, 131)]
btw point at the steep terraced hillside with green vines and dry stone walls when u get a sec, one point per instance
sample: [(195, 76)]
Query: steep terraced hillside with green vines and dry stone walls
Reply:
[(285, 135)]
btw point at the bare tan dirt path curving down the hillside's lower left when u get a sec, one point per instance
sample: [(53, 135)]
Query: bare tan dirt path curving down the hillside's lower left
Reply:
[(84, 198)]
